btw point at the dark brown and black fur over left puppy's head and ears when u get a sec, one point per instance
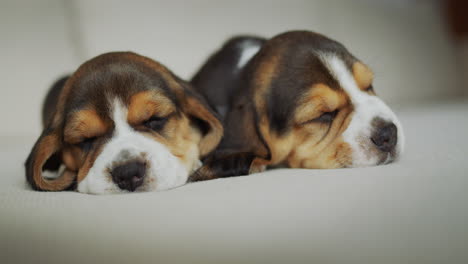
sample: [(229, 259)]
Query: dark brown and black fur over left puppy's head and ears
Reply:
[(116, 74)]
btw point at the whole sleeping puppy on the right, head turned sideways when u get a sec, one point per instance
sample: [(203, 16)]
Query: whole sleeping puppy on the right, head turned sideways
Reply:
[(299, 100)]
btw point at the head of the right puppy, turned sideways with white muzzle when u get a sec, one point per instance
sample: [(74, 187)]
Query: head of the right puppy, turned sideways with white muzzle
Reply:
[(316, 106)]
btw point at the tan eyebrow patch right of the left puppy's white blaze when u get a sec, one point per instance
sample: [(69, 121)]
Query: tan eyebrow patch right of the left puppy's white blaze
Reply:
[(145, 104)]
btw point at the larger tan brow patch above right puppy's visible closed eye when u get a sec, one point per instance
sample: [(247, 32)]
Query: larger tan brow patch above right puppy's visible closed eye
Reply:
[(320, 98)]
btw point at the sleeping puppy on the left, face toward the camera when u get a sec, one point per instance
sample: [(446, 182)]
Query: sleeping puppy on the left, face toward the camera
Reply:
[(121, 123)]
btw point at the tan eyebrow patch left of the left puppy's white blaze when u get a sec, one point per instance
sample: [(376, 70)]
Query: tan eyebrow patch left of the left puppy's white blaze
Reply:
[(84, 124)]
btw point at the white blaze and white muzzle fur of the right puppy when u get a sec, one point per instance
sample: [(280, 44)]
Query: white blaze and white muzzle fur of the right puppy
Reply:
[(366, 108)]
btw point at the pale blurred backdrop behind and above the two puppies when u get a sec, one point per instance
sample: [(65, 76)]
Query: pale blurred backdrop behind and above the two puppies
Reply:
[(408, 43)]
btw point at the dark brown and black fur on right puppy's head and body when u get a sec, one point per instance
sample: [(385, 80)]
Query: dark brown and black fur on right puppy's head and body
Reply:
[(278, 75)]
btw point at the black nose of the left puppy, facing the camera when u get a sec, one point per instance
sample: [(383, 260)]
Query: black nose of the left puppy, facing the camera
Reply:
[(129, 176)]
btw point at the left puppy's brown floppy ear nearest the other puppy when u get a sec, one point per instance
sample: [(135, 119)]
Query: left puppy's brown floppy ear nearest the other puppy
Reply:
[(205, 117)]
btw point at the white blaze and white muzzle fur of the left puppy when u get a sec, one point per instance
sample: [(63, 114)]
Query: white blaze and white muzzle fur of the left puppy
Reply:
[(165, 171)]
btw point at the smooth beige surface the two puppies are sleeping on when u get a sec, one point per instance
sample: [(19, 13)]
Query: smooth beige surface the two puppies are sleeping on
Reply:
[(414, 211)]
